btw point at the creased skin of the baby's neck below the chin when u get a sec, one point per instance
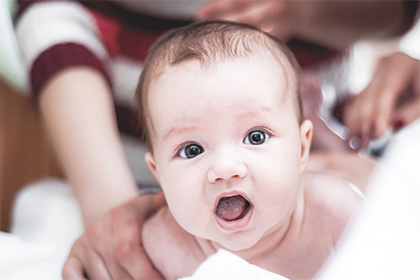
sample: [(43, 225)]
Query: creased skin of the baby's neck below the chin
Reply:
[(278, 239)]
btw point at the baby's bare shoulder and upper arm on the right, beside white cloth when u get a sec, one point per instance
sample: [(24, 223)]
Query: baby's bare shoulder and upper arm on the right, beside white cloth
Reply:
[(330, 203)]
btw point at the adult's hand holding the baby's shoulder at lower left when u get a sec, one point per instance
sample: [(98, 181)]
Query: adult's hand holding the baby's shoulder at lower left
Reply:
[(112, 247)]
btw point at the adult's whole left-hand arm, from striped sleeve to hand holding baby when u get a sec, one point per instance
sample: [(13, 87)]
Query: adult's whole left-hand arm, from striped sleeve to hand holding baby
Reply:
[(69, 66)]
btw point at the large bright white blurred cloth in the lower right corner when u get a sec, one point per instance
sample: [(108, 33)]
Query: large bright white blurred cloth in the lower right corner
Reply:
[(384, 241)]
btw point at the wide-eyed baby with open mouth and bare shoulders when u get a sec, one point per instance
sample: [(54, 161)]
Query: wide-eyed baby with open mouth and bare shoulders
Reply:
[(221, 108)]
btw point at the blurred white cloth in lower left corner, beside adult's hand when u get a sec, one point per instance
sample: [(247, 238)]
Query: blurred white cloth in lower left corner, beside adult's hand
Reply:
[(46, 222)]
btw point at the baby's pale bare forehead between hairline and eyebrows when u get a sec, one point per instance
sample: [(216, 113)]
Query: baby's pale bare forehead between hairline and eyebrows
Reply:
[(169, 104)]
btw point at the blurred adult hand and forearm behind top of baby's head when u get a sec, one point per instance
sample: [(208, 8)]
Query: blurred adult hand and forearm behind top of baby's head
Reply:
[(329, 23)]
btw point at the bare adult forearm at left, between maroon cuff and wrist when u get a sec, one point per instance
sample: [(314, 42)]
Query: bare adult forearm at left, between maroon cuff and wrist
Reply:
[(77, 108)]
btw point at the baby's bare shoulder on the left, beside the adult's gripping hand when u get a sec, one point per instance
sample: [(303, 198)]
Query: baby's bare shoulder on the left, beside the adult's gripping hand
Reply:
[(172, 250)]
